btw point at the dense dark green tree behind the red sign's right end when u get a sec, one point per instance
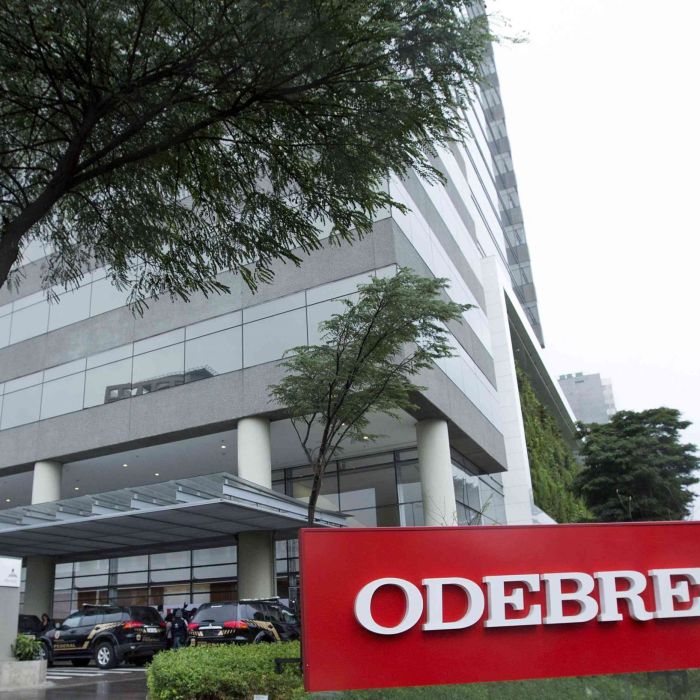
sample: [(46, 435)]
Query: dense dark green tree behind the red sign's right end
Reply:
[(637, 468)]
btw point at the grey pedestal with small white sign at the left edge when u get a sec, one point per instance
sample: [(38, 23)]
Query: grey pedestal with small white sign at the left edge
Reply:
[(14, 674)]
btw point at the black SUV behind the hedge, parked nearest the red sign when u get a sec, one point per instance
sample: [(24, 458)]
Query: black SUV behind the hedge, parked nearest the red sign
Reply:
[(243, 622)]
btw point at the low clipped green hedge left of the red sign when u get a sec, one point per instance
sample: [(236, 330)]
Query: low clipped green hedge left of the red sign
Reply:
[(224, 671)]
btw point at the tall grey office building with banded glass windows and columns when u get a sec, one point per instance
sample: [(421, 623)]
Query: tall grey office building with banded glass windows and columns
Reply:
[(143, 461)]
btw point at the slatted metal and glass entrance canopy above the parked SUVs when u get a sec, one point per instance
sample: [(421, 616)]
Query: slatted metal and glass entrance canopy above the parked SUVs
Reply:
[(201, 511)]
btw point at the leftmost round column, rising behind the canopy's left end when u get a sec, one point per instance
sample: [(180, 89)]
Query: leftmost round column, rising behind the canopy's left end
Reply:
[(38, 591)]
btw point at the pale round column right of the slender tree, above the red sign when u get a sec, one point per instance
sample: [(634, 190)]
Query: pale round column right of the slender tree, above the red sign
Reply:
[(435, 467)]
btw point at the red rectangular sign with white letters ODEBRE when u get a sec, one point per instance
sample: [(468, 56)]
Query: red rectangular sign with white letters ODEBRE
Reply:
[(425, 606)]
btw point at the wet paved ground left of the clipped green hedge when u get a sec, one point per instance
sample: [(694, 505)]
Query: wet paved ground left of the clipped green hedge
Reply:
[(66, 682)]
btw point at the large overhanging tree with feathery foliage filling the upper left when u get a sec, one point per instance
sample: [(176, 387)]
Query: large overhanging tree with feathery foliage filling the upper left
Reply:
[(169, 140)]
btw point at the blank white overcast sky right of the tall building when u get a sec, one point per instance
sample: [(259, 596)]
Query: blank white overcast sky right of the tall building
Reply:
[(603, 113)]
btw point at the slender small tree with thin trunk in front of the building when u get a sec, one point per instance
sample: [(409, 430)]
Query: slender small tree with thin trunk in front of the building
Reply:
[(365, 363)]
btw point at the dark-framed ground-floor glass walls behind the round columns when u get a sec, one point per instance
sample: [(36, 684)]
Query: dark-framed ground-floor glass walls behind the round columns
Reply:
[(379, 490)]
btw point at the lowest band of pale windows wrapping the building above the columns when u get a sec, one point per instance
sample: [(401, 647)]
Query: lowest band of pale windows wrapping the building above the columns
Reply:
[(226, 343)]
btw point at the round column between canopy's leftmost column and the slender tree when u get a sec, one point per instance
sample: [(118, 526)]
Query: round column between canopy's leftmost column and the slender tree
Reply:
[(256, 550)]
